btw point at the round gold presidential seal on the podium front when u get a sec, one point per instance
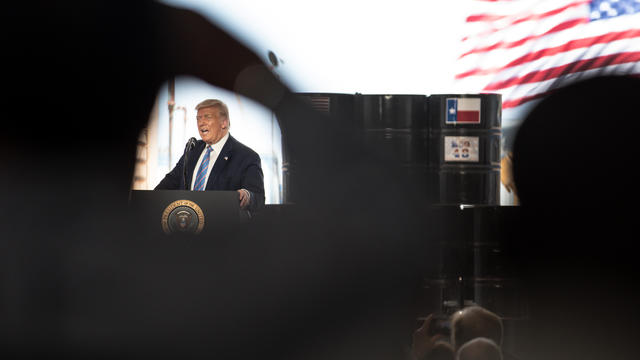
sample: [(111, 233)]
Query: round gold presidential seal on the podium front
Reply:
[(182, 216)]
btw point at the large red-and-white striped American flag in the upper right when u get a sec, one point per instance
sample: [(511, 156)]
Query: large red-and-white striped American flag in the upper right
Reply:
[(524, 49)]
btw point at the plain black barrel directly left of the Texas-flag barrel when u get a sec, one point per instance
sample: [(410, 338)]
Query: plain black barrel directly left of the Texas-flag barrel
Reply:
[(395, 128)]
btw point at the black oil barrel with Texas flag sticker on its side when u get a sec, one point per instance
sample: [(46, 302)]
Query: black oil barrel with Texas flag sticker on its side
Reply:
[(464, 148)]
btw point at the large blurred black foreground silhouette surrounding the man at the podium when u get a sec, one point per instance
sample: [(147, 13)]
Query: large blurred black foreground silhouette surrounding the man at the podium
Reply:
[(332, 279)]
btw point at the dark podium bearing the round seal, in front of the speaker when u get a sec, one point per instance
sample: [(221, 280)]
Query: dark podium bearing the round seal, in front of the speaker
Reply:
[(175, 212)]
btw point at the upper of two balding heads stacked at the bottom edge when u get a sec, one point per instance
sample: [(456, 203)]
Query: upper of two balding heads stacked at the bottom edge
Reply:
[(473, 322)]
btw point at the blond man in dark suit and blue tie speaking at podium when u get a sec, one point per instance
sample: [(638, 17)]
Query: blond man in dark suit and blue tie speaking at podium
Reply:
[(218, 161)]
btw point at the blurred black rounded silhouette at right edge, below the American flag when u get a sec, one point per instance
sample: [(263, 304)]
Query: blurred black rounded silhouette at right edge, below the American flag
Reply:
[(573, 168)]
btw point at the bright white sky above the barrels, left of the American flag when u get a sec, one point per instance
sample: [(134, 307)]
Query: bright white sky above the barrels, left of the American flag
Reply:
[(400, 47)]
